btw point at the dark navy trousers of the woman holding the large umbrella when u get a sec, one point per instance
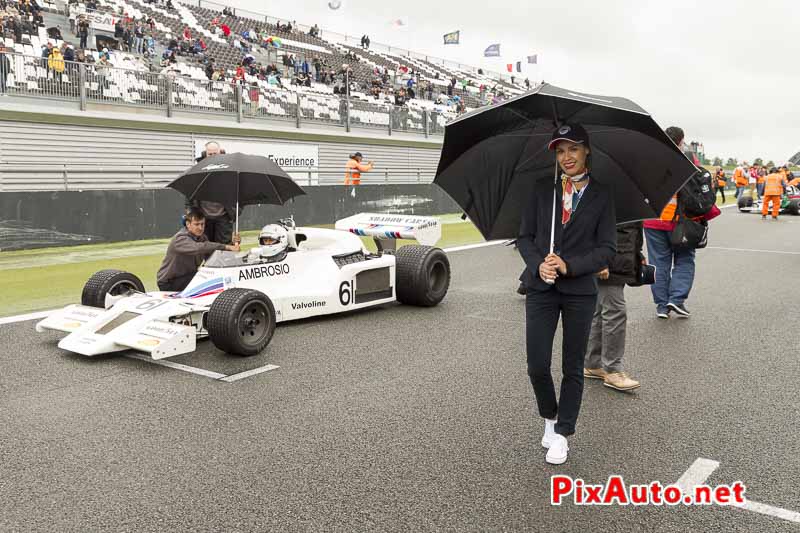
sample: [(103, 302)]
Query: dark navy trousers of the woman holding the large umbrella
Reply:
[(542, 310)]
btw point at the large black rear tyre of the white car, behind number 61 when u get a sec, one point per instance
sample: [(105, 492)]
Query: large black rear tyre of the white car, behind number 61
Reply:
[(423, 275)]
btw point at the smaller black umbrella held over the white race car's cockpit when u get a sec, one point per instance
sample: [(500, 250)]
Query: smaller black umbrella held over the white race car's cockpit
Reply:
[(237, 179)]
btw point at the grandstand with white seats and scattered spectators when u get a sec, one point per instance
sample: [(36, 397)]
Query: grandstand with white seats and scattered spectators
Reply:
[(358, 88)]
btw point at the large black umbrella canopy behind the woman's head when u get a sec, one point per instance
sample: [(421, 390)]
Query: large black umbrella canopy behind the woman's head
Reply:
[(492, 156)]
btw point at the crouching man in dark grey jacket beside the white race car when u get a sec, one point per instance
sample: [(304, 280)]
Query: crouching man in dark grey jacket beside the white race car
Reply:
[(186, 251)]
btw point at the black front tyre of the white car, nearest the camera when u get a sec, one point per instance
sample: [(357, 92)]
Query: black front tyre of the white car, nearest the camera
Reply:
[(241, 321)]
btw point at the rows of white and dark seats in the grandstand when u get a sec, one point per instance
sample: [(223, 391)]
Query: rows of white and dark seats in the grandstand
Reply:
[(134, 81)]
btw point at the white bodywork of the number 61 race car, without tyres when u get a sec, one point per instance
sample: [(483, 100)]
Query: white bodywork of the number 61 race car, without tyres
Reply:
[(325, 272)]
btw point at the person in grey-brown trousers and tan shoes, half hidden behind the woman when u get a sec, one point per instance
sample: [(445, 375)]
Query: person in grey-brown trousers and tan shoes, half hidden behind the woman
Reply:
[(607, 338)]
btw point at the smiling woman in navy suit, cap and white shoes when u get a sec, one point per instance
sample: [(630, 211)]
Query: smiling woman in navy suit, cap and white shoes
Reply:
[(563, 283)]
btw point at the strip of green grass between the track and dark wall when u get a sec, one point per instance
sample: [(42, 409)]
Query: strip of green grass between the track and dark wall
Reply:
[(33, 288)]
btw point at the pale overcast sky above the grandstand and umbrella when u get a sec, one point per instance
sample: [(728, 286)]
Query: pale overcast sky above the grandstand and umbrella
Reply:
[(725, 71)]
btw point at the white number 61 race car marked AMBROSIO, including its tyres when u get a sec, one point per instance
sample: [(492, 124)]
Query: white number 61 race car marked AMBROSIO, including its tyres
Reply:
[(237, 298)]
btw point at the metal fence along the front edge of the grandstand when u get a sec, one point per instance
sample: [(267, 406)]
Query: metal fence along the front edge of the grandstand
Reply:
[(85, 83)]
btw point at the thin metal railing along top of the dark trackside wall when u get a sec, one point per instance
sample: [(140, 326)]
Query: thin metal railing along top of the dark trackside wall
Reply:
[(68, 177)]
